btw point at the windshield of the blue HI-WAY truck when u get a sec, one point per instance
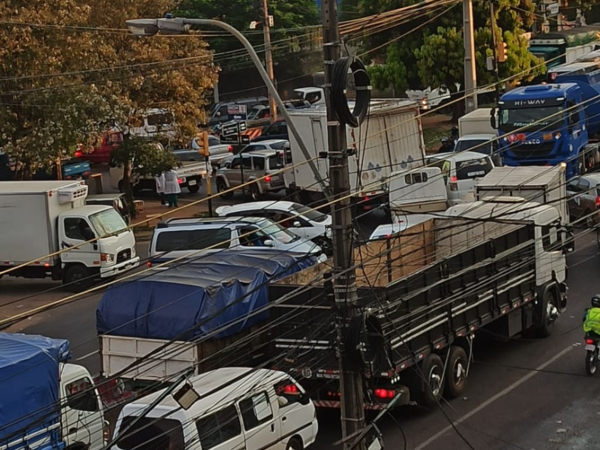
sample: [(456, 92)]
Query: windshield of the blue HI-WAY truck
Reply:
[(539, 118)]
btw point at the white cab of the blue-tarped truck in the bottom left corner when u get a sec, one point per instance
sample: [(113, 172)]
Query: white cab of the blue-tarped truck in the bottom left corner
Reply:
[(82, 415)]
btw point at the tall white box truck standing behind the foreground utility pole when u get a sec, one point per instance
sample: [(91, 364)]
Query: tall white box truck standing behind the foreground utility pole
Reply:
[(389, 140)]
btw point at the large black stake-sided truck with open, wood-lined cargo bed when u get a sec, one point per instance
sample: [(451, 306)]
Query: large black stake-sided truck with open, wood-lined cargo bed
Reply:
[(424, 294)]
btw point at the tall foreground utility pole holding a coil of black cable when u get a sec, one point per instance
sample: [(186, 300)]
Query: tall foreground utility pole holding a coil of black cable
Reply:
[(344, 285)]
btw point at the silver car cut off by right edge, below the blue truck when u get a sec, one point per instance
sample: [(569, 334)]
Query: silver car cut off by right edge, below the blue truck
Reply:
[(584, 199)]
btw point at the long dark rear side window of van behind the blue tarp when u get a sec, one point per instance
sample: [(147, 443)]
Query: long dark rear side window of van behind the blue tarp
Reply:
[(169, 241)]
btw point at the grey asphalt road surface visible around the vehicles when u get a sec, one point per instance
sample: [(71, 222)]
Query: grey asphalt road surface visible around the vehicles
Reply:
[(522, 394)]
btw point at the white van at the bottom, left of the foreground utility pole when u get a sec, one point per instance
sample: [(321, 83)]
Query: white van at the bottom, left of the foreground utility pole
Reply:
[(236, 408)]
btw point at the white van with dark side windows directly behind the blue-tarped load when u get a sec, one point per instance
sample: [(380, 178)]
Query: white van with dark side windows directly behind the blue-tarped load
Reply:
[(176, 238)]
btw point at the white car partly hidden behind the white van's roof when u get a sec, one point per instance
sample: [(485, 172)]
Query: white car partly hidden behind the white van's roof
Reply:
[(301, 220)]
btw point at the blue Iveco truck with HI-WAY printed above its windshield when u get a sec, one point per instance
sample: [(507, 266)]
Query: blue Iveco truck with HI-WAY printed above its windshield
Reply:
[(554, 123)]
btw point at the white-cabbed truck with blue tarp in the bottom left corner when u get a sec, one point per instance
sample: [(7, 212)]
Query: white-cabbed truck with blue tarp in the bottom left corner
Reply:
[(46, 403)]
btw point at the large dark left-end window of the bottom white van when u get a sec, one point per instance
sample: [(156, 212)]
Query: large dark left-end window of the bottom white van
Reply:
[(151, 433)]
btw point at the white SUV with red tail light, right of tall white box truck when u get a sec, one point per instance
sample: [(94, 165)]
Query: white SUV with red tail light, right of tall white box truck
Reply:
[(460, 172)]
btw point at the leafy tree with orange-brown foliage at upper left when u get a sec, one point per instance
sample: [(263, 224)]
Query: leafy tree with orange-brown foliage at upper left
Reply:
[(66, 74)]
